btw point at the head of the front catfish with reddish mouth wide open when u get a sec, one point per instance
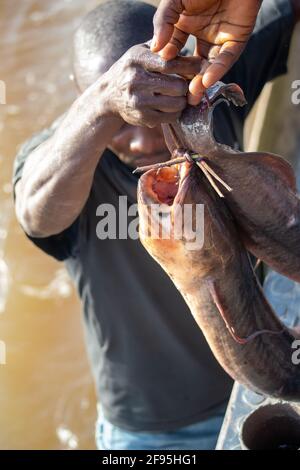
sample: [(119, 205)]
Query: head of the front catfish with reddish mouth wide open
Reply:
[(179, 221)]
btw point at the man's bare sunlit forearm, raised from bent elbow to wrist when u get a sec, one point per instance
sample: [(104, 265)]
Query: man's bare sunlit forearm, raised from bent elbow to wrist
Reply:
[(58, 175)]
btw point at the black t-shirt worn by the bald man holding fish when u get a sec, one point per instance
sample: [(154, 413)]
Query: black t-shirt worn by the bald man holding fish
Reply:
[(153, 368)]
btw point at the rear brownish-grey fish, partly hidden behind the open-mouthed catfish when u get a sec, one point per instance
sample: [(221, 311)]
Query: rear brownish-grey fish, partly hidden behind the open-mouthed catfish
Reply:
[(263, 199)]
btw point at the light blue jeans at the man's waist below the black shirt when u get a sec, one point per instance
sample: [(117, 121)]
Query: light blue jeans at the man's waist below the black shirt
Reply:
[(200, 436)]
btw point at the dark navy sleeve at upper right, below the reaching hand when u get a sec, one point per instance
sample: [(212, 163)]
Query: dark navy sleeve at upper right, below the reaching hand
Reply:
[(266, 54)]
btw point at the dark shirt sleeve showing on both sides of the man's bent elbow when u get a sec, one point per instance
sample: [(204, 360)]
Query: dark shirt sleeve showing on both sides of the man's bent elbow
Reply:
[(64, 244)]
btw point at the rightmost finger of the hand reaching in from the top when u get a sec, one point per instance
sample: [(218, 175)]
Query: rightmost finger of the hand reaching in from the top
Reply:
[(228, 55)]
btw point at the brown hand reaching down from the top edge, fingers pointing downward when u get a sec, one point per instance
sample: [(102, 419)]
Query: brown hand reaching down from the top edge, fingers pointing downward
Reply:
[(221, 27)]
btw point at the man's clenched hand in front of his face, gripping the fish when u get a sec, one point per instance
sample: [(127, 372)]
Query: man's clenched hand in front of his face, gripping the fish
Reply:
[(145, 90)]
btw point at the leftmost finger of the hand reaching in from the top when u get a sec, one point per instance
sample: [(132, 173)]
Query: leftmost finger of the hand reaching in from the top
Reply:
[(165, 18)]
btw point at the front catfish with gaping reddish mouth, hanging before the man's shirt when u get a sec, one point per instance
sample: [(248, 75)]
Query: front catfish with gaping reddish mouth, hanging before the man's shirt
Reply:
[(218, 283)]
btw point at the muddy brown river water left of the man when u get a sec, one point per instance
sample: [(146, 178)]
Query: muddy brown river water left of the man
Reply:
[(47, 398)]
